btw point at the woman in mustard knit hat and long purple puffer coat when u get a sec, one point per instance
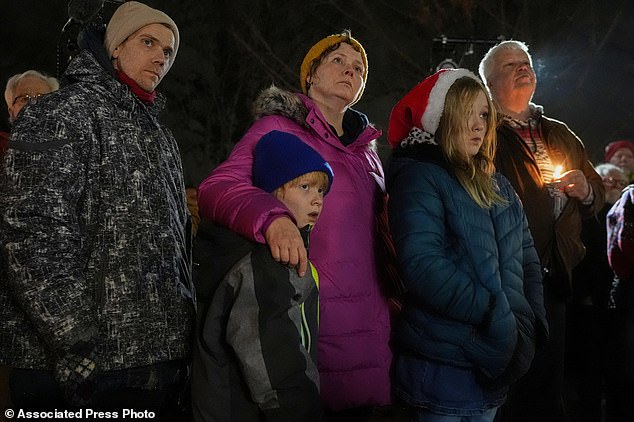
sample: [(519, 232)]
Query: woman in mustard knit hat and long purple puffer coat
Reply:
[(354, 356)]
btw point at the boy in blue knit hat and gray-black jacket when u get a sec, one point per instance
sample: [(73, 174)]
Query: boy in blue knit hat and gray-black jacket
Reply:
[(255, 353)]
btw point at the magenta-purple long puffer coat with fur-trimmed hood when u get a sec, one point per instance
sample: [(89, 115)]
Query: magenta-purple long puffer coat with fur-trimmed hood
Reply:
[(354, 355)]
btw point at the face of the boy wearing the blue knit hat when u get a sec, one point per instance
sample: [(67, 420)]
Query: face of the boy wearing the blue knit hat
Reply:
[(304, 199)]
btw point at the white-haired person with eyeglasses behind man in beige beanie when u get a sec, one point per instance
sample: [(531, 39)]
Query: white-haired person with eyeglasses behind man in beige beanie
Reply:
[(22, 89)]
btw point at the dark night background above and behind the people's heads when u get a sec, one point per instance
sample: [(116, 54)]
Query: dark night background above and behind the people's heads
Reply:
[(231, 49)]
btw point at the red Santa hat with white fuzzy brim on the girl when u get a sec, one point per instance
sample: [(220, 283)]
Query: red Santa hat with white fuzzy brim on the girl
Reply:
[(419, 111)]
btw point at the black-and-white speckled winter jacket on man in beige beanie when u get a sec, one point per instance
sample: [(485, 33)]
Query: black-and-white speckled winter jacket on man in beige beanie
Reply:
[(93, 219)]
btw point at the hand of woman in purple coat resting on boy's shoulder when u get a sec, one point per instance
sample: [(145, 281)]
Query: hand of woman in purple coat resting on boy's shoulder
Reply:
[(286, 244)]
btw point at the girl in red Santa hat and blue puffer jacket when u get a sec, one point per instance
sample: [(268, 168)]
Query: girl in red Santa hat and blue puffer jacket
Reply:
[(474, 308)]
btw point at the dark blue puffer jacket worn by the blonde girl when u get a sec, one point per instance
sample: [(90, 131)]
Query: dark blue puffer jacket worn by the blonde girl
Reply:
[(472, 274)]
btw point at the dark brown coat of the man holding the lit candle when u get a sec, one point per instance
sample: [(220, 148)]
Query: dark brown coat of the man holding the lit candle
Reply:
[(558, 243)]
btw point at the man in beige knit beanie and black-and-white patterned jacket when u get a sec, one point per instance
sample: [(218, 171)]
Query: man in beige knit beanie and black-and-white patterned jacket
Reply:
[(98, 308)]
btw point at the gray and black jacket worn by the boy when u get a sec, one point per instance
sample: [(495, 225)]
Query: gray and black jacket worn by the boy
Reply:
[(255, 353)]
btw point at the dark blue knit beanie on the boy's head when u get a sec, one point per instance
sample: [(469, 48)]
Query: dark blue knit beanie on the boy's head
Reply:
[(280, 157)]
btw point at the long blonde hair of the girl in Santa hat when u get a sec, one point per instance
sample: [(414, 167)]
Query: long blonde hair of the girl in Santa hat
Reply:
[(474, 173)]
